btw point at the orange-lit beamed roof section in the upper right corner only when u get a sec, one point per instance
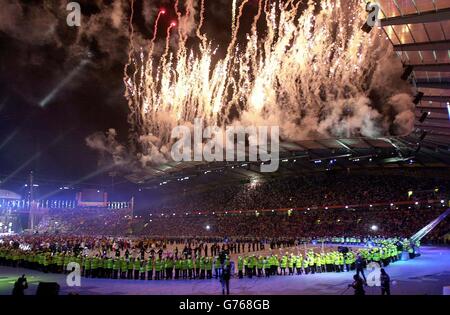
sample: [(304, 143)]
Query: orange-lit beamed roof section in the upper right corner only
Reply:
[(419, 31)]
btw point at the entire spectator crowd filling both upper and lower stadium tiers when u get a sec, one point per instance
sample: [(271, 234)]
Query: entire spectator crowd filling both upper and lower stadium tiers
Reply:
[(311, 198)]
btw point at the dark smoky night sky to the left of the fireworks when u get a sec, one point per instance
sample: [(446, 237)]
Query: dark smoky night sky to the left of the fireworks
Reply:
[(38, 51)]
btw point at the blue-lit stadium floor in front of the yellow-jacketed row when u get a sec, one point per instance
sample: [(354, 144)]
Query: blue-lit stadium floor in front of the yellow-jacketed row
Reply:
[(427, 274)]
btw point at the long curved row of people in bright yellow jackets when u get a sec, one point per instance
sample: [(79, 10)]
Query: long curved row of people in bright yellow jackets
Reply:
[(200, 267)]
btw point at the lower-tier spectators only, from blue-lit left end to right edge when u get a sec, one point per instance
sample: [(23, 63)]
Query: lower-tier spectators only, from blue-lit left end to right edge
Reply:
[(386, 221)]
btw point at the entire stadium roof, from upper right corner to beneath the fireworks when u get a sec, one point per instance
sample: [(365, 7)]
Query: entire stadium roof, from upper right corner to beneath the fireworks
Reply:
[(419, 31)]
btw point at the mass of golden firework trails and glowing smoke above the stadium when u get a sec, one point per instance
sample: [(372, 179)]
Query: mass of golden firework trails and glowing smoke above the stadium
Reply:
[(310, 71)]
